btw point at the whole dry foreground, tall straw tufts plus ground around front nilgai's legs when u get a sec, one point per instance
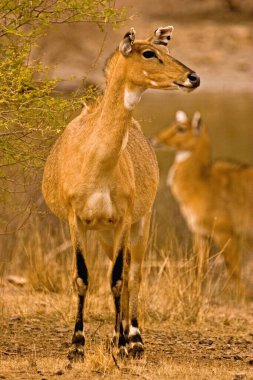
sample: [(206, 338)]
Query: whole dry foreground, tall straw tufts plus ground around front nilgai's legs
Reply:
[(178, 323)]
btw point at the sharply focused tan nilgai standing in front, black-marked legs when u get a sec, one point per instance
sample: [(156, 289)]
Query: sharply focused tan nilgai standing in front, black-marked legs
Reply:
[(102, 175)]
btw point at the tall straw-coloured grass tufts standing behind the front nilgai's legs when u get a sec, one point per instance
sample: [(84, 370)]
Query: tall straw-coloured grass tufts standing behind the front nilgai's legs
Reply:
[(42, 254)]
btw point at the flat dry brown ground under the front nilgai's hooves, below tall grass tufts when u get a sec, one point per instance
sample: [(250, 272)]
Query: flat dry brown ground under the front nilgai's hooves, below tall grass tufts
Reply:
[(36, 329)]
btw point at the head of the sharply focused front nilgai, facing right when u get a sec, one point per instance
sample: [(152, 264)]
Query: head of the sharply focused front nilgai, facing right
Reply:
[(148, 63)]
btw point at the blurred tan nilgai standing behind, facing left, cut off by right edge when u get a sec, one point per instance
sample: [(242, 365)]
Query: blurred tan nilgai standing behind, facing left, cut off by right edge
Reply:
[(216, 198)]
